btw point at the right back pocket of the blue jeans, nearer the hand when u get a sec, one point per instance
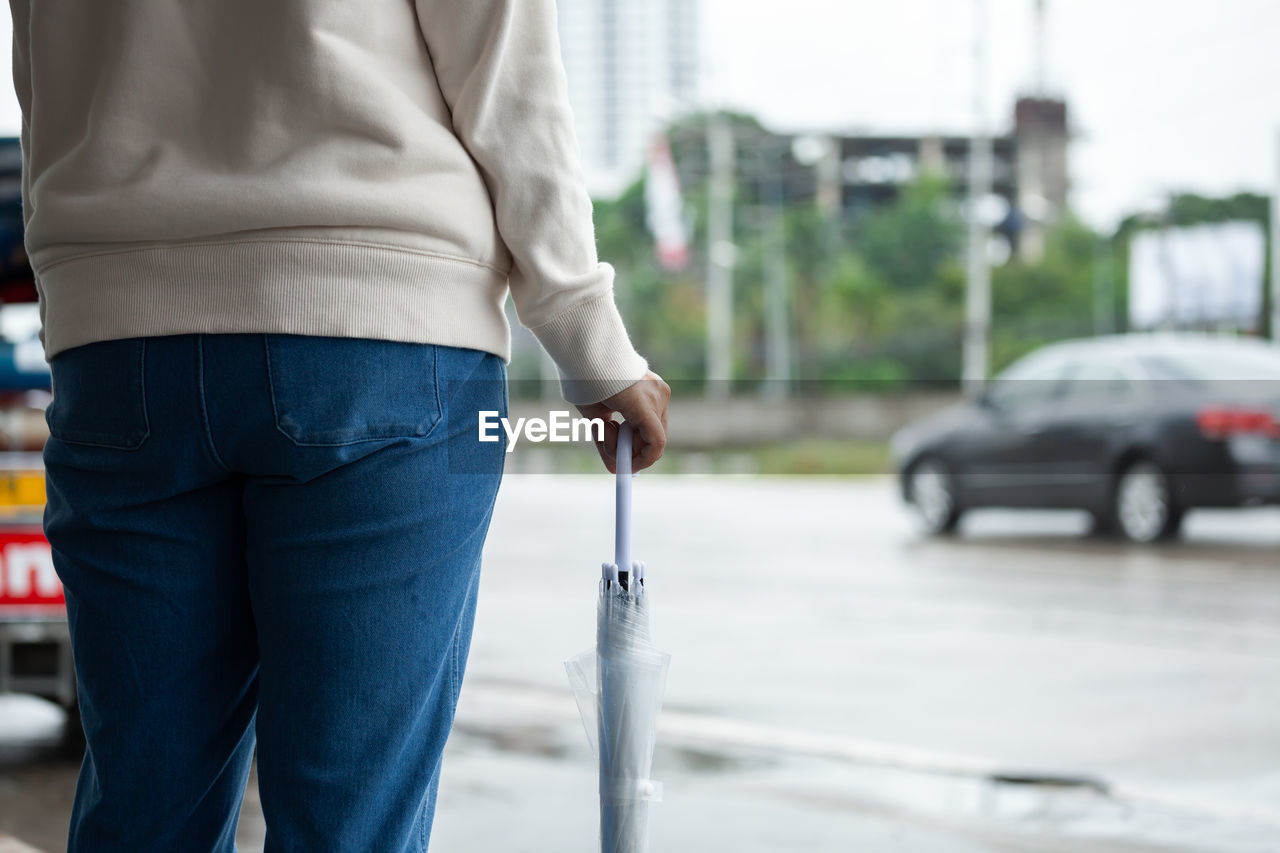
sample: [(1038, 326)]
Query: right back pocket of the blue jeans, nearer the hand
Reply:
[(332, 391)]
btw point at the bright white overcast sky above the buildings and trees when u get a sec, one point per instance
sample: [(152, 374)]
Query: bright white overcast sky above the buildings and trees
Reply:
[(1165, 94)]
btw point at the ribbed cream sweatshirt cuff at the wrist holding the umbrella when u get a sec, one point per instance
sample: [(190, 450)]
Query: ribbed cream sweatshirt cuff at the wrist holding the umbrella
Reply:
[(591, 348)]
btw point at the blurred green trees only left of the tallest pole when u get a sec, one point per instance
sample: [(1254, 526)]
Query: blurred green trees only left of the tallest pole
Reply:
[(890, 311)]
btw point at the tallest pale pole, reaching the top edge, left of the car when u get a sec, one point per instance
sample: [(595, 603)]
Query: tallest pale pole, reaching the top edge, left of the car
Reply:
[(979, 286)]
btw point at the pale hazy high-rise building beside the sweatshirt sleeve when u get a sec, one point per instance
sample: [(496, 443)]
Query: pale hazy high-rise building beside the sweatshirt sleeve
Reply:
[(632, 65)]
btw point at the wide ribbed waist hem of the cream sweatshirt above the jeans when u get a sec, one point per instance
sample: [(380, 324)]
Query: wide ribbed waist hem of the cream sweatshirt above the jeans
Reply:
[(295, 288)]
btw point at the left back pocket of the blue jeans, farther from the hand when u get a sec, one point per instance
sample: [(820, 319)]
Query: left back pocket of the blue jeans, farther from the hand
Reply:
[(99, 396)]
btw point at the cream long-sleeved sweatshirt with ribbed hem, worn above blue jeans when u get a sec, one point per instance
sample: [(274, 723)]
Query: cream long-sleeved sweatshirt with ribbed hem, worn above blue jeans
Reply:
[(354, 168)]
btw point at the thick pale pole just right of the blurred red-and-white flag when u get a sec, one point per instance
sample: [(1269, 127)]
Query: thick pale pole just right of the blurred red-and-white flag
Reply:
[(720, 258)]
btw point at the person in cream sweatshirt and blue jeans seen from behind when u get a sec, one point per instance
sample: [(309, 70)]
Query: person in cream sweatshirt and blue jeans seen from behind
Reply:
[(273, 244)]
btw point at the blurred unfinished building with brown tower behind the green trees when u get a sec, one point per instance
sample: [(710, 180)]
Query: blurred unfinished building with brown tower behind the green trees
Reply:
[(856, 174)]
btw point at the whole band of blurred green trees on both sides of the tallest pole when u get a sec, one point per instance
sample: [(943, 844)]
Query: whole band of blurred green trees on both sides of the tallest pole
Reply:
[(877, 300)]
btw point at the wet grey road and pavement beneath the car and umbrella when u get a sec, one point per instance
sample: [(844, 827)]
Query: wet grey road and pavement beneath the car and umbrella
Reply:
[(840, 682)]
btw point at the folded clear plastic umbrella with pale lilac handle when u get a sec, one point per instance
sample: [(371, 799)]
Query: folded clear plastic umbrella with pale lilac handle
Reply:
[(619, 686)]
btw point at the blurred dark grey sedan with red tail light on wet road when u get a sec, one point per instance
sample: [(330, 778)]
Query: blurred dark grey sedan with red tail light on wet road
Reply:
[(1136, 430)]
